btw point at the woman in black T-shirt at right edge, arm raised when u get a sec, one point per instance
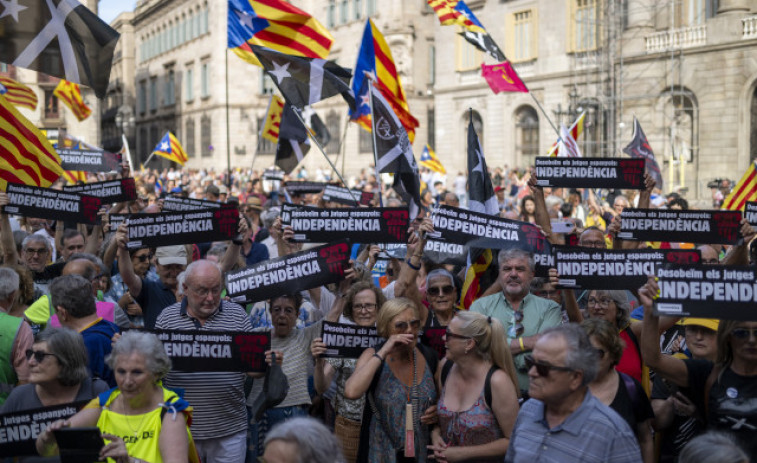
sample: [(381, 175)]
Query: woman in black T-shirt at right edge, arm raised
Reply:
[(724, 391)]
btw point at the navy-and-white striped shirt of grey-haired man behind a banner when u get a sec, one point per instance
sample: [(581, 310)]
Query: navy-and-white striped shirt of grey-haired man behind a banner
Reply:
[(217, 397)]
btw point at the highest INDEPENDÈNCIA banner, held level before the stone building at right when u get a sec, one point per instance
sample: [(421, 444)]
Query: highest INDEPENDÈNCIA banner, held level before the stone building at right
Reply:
[(619, 173)]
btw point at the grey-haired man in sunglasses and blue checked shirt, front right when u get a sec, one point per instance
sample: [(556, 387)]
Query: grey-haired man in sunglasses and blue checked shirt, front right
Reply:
[(563, 421)]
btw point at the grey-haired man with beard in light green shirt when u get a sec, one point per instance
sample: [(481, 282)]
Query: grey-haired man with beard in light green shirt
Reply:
[(522, 314)]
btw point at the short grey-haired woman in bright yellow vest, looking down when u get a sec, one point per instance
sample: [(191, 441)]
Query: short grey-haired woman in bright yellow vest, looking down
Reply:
[(139, 406)]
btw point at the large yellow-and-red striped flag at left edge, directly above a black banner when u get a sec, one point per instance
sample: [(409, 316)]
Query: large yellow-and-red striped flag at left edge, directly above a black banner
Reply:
[(28, 157)]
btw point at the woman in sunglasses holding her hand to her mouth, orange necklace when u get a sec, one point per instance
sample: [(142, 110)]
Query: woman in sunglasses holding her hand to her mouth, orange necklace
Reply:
[(398, 377)]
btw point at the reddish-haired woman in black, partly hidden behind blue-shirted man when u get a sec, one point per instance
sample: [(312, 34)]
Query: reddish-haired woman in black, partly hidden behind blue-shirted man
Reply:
[(618, 390)]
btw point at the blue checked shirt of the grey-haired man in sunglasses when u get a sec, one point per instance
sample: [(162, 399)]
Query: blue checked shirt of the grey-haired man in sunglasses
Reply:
[(592, 433)]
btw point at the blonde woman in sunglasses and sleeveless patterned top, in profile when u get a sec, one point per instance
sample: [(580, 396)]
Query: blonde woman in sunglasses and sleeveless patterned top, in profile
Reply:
[(478, 402)]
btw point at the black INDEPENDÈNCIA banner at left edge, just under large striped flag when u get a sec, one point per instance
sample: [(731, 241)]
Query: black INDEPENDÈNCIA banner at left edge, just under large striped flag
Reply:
[(46, 203)]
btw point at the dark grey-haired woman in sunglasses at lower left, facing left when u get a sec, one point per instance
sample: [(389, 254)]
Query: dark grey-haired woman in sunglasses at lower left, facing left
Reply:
[(57, 375)]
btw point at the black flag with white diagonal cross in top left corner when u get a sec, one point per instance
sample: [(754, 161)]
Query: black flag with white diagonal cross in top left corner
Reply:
[(61, 38)]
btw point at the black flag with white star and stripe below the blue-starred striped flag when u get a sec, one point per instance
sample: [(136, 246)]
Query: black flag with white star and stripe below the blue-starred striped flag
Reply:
[(305, 81)]
